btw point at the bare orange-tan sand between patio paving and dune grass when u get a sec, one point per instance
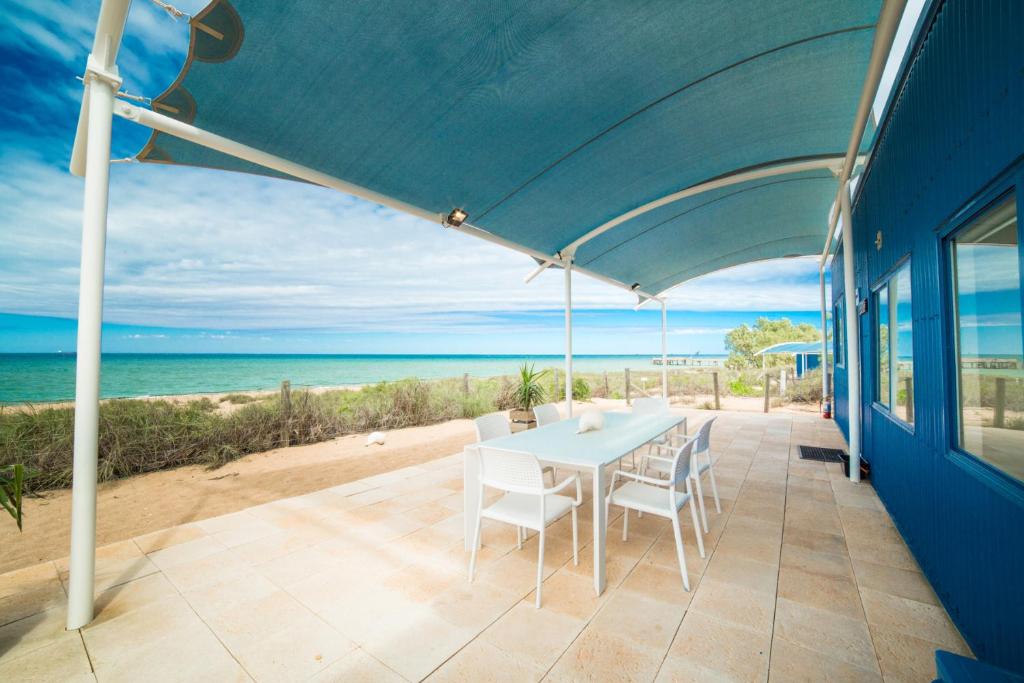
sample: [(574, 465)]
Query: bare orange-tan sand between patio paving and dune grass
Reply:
[(152, 502)]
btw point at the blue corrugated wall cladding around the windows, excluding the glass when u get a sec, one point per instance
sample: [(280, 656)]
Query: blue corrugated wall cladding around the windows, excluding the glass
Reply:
[(954, 140)]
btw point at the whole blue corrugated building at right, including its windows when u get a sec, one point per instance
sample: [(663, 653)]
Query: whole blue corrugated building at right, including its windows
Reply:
[(937, 273)]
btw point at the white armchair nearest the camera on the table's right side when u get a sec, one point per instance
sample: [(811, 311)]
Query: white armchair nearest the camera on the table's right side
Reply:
[(660, 497)]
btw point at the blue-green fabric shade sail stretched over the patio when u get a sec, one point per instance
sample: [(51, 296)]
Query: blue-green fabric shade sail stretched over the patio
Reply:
[(544, 120)]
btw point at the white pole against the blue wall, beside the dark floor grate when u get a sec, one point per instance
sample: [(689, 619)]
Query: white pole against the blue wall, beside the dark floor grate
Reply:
[(852, 334)]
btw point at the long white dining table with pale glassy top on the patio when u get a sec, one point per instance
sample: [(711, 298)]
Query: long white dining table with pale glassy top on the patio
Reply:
[(559, 445)]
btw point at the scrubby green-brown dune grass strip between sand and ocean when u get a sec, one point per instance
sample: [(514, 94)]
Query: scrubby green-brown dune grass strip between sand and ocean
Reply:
[(139, 437)]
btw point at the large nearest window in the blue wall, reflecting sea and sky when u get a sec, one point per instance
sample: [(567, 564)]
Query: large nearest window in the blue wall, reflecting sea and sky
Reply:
[(988, 296)]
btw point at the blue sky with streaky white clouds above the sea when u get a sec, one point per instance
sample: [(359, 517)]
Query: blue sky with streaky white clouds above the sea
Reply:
[(209, 262)]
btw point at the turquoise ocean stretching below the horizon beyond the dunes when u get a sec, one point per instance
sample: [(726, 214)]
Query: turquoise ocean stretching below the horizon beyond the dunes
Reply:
[(51, 377)]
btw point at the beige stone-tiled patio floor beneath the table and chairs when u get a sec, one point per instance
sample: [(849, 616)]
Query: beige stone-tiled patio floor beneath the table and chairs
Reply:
[(805, 579)]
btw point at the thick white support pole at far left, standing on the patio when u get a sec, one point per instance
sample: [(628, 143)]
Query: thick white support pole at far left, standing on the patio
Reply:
[(91, 315)]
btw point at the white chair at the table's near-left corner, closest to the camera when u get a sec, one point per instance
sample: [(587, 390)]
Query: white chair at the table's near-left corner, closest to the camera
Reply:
[(527, 503)]
